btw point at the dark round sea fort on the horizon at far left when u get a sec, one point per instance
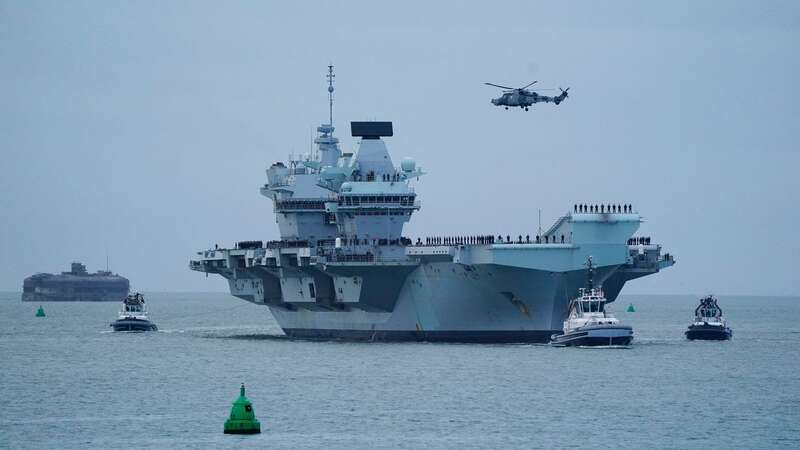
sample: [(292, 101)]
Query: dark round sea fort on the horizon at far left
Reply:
[(77, 285)]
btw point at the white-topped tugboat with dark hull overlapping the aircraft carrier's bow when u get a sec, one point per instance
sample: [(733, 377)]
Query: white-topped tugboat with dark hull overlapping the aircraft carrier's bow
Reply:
[(589, 324)]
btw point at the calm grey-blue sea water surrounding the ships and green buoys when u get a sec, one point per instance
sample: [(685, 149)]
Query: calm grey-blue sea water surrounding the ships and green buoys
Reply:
[(68, 382)]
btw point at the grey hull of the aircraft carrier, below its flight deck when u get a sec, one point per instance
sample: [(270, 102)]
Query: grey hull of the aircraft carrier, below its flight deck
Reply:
[(464, 299)]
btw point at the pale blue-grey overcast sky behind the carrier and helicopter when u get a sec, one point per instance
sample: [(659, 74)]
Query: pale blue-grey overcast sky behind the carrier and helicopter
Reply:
[(143, 128)]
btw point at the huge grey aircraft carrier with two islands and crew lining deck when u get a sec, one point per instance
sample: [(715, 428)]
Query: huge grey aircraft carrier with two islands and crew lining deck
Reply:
[(343, 270)]
